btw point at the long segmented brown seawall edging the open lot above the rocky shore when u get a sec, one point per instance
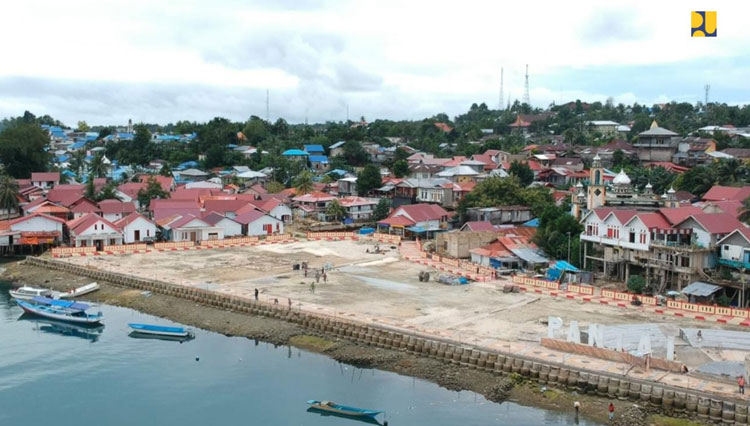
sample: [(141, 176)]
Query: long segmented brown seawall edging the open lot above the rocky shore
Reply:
[(670, 400)]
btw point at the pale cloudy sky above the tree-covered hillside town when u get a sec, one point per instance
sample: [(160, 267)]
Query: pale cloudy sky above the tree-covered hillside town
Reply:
[(162, 61)]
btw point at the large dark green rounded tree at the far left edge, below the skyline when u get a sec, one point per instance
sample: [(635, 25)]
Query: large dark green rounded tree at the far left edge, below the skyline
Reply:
[(22, 150)]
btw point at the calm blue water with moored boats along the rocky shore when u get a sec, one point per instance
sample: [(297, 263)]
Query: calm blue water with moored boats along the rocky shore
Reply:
[(51, 374)]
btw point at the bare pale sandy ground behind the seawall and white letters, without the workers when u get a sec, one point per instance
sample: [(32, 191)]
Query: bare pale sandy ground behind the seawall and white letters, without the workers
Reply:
[(368, 285)]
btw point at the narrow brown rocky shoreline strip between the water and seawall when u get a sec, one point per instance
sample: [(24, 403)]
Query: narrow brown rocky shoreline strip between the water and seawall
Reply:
[(279, 332)]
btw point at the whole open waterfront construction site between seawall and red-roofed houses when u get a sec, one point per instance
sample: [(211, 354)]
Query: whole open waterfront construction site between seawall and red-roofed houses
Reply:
[(369, 281)]
